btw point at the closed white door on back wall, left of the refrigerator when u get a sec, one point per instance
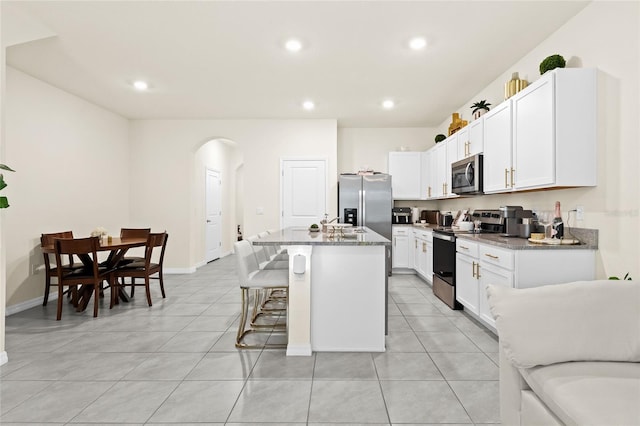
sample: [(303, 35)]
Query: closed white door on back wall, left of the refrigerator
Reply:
[(304, 192)]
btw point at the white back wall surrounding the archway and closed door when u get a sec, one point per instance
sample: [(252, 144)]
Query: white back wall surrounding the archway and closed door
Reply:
[(164, 197)]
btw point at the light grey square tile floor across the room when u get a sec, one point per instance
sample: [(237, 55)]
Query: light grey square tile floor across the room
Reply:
[(176, 363)]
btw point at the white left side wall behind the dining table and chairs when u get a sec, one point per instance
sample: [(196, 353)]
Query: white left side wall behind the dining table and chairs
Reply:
[(72, 173)]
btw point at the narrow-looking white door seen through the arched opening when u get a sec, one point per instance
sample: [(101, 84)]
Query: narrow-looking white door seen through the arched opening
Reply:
[(213, 226)]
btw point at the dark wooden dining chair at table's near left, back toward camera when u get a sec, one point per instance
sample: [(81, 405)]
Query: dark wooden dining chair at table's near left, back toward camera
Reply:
[(90, 276)]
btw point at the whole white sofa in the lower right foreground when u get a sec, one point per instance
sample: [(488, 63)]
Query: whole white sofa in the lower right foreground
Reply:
[(569, 353)]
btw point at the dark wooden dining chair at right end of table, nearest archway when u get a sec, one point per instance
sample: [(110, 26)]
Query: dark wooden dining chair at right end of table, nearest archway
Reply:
[(145, 268)]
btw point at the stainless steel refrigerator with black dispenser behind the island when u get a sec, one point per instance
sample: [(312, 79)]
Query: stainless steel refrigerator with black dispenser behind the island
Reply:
[(369, 200)]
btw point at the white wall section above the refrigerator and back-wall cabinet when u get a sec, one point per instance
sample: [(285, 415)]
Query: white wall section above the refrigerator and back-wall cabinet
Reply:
[(361, 148)]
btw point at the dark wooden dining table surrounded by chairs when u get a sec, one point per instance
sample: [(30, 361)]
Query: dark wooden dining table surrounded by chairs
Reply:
[(117, 248)]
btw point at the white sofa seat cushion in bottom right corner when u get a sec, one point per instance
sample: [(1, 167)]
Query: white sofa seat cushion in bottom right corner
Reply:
[(589, 393)]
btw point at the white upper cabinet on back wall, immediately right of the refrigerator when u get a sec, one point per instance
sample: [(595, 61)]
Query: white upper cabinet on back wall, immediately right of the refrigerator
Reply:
[(405, 170)]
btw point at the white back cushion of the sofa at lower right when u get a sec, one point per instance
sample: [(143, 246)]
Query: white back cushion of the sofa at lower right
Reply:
[(579, 321)]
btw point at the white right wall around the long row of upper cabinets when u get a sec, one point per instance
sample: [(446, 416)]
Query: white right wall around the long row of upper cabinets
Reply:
[(604, 35)]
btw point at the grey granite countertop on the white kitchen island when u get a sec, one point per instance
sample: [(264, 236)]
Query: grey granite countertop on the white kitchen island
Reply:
[(302, 236)]
